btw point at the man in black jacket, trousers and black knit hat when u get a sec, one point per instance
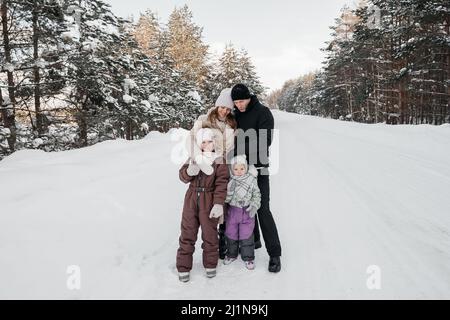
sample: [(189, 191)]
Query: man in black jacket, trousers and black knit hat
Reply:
[(255, 125)]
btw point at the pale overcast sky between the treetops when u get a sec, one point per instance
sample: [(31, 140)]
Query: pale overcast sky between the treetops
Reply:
[(283, 37)]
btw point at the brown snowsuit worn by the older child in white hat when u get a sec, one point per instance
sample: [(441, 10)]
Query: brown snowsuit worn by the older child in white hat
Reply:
[(204, 191)]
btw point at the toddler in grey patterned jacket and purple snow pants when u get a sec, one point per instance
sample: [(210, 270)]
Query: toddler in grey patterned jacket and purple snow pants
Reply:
[(244, 199)]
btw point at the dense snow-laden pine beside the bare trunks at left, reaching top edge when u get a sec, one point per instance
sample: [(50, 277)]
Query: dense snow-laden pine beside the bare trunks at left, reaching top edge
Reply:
[(94, 37)]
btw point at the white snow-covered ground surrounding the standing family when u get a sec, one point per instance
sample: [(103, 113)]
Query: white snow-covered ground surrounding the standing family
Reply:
[(346, 196)]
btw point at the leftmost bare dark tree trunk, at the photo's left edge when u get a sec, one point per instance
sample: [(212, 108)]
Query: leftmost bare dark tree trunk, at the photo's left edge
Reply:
[(9, 116)]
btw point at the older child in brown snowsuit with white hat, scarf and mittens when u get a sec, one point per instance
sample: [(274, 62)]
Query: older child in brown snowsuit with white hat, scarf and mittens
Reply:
[(208, 177)]
